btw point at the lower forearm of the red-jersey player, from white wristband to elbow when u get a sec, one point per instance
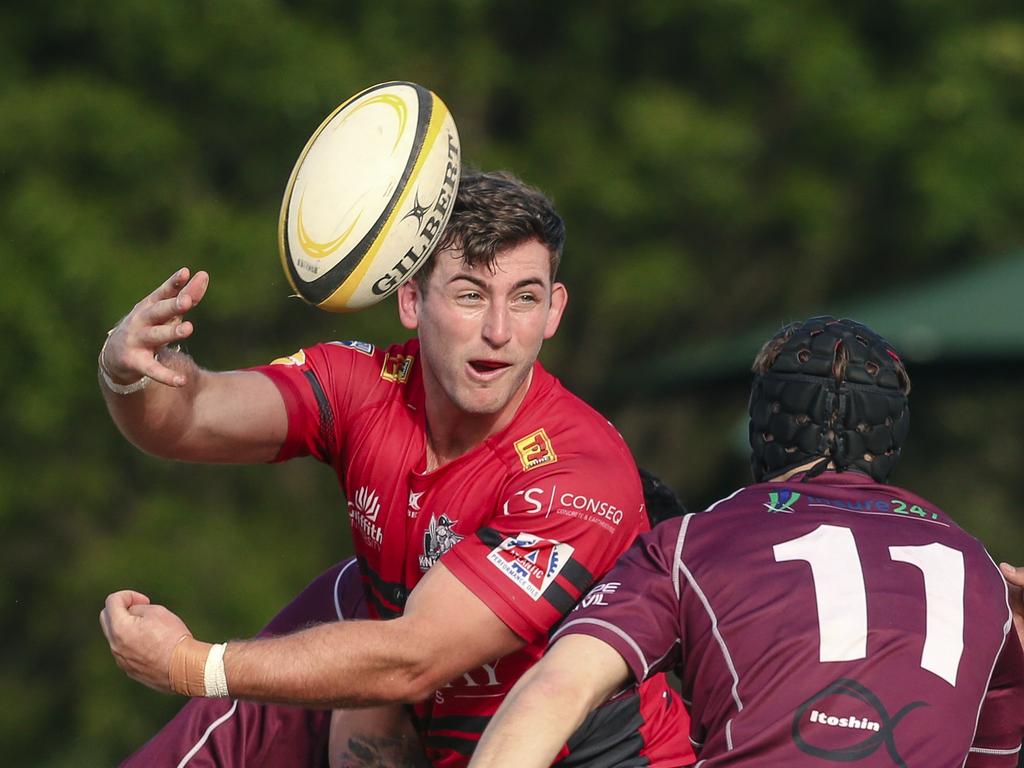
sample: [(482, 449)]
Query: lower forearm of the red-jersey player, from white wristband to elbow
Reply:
[(338, 665)]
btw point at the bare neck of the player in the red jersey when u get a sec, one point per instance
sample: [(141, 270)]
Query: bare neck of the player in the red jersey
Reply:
[(453, 433)]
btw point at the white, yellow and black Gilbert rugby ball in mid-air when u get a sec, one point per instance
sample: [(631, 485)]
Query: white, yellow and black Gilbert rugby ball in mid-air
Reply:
[(369, 197)]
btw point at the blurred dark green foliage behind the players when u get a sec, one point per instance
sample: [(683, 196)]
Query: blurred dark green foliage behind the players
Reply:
[(720, 164)]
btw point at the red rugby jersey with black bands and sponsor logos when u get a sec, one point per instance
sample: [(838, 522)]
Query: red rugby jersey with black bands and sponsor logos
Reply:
[(527, 521)]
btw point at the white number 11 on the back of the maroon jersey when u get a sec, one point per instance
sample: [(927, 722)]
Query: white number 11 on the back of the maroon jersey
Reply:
[(842, 600)]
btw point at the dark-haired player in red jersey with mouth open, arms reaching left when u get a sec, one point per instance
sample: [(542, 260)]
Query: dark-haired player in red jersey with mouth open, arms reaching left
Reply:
[(485, 500)]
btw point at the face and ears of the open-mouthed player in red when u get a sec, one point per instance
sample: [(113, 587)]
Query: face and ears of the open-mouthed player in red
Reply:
[(481, 331)]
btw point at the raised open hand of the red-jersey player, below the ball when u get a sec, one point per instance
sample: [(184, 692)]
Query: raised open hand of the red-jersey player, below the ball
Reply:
[(131, 352)]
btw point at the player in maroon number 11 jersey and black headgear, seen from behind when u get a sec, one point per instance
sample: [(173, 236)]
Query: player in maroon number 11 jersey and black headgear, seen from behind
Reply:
[(820, 617)]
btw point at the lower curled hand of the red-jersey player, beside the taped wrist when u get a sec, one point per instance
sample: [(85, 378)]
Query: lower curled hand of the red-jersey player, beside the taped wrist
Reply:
[(142, 637)]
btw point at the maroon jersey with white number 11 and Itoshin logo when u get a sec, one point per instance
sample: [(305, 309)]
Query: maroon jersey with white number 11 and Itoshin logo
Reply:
[(824, 622)]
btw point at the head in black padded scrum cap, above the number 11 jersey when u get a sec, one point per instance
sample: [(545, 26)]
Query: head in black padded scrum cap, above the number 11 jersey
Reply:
[(831, 391)]
